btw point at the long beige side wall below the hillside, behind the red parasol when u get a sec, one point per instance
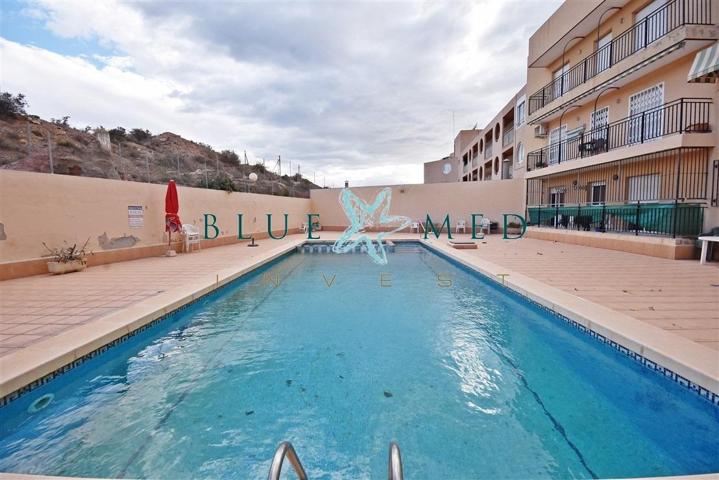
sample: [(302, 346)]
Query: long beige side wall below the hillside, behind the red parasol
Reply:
[(38, 207)]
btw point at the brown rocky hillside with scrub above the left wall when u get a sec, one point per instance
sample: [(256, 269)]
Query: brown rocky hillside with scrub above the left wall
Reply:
[(136, 155)]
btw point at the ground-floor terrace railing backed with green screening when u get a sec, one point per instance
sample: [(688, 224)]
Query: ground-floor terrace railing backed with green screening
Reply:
[(667, 219)]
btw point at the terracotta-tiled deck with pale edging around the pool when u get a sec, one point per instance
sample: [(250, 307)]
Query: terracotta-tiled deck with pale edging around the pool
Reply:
[(48, 321)]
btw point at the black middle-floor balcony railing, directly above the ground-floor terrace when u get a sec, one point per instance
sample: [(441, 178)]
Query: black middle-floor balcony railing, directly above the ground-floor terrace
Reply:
[(684, 115)]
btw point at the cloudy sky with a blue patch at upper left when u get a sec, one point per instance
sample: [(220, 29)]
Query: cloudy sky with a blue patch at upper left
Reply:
[(359, 91)]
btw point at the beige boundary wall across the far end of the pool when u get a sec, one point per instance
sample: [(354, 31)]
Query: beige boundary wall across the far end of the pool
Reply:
[(491, 198)]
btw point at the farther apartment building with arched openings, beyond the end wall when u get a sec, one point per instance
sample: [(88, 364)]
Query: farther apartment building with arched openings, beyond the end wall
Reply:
[(493, 153)]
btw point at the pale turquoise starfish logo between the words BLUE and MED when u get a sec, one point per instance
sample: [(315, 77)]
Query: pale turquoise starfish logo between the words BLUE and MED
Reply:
[(364, 216)]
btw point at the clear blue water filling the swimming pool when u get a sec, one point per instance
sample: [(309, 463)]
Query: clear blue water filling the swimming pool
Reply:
[(471, 381)]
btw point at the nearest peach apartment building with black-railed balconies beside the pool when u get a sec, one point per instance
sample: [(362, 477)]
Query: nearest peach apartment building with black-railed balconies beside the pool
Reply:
[(621, 137)]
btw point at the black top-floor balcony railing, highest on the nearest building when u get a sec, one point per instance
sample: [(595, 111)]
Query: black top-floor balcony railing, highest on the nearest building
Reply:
[(650, 29)]
